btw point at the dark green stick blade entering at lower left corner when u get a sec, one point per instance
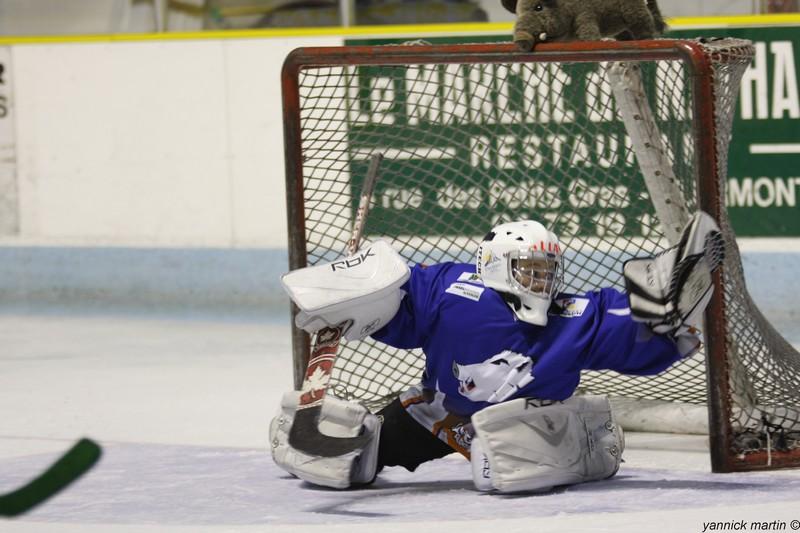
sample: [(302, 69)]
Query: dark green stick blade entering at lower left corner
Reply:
[(72, 465)]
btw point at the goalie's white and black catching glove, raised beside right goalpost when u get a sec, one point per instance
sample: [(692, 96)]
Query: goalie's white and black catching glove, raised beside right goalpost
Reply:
[(669, 292)]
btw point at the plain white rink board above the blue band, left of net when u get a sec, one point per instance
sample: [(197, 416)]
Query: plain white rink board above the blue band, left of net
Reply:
[(151, 143)]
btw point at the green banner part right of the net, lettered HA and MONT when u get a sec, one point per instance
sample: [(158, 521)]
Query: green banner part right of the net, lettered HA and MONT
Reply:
[(764, 156)]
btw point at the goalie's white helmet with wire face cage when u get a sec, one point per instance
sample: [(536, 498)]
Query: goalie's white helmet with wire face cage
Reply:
[(523, 261)]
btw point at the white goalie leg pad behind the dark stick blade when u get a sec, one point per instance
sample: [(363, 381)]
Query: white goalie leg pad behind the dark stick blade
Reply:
[(338, 418)]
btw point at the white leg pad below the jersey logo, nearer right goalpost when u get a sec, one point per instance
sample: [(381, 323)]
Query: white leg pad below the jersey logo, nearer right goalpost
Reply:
[(523, 446)]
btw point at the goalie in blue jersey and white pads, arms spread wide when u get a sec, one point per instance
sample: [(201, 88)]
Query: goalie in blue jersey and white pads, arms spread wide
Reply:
[(504, 350)]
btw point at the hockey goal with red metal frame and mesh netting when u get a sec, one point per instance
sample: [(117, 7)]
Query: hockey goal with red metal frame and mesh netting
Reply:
[(611, 144)]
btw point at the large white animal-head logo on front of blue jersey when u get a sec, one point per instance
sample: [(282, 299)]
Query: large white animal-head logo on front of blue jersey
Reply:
[(495, 379)]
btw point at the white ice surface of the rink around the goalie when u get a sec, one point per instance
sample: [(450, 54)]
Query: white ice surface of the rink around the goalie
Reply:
[(181, 408)]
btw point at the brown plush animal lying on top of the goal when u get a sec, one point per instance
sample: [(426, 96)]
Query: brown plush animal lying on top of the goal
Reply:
[(583, 20)]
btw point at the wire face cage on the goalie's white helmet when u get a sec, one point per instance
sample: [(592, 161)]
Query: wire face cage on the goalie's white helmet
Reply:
[(535, 272)]
